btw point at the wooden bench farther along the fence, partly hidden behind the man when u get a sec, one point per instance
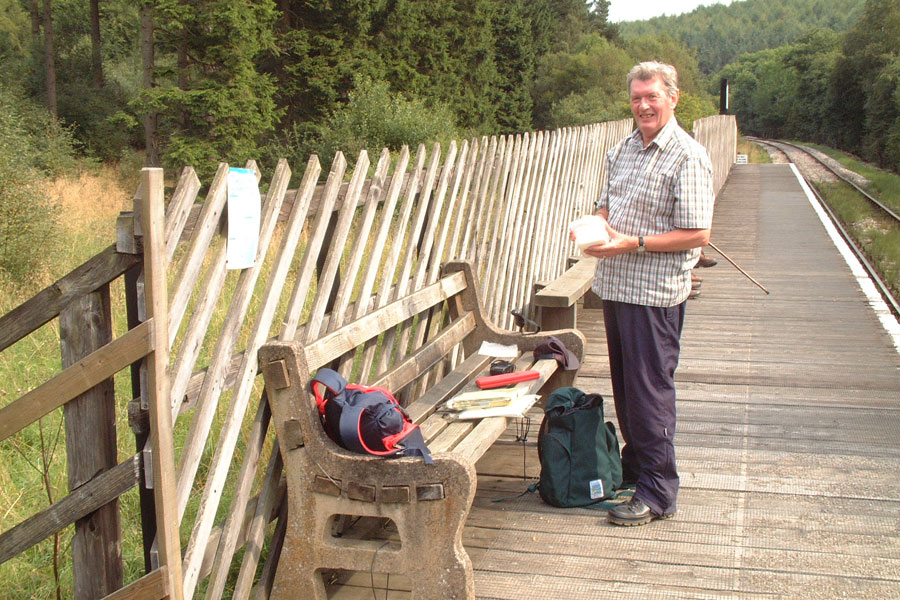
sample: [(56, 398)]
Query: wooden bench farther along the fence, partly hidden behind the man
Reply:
[(558, 300)]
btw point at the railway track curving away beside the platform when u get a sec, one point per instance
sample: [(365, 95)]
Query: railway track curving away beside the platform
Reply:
[(807, 161)]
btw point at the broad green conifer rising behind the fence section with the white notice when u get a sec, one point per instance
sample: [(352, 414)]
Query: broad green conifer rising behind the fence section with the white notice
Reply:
[(222, 105)]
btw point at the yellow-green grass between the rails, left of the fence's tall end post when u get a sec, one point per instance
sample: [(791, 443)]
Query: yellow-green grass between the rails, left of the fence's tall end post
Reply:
[(32, 463)]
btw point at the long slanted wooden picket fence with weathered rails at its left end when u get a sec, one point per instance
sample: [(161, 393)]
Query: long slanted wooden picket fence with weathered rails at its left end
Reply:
[(329, 253)]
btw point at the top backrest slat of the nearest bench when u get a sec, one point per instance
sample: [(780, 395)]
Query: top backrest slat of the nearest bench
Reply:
[(348, 337)]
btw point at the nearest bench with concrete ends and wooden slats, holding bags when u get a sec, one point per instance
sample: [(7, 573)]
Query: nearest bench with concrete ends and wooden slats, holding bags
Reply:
[(427, 503)]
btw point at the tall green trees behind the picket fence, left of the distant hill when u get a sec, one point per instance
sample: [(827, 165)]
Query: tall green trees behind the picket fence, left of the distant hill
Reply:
[(231, 80)]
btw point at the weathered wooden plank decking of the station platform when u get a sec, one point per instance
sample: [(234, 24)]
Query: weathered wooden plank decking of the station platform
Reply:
[(788, 440)]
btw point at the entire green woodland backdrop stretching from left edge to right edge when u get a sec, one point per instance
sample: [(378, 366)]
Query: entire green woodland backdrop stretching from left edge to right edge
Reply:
[(173, 83)]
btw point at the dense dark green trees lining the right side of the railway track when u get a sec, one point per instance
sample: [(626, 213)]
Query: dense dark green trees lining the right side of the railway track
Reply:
[(841, 90)]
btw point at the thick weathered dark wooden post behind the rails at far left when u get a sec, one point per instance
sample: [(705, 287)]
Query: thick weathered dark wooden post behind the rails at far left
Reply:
[(85, 325)]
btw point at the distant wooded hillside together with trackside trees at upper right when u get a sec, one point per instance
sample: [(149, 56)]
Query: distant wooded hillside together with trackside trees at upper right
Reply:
[(824, 71)]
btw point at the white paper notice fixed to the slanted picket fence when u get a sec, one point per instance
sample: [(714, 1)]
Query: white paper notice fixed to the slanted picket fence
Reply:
[(243, 219)]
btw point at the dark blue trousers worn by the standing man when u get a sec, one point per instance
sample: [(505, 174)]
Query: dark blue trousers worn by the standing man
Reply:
[(644, 342)]
